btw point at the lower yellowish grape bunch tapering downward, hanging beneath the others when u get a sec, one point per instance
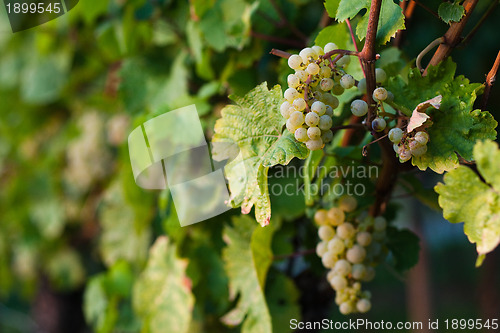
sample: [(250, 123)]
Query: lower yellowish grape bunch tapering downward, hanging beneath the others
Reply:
[(351, 245)]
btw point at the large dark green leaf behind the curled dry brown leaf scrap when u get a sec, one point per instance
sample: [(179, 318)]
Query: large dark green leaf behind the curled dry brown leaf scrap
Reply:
[(456, 126)]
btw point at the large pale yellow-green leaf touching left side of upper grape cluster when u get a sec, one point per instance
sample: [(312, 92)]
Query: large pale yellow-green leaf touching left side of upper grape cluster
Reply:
[(255, 125)]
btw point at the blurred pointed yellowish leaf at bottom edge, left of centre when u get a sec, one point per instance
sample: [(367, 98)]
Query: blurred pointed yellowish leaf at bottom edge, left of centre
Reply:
[(162, 296)]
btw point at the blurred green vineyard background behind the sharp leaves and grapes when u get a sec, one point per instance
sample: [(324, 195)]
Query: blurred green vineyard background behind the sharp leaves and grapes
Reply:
[(75, 230)]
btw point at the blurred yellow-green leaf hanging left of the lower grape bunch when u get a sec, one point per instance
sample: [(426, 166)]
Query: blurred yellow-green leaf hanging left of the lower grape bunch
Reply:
[(248, 257)]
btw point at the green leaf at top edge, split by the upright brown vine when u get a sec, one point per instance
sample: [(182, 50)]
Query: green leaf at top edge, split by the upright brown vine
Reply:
[(391, 18)]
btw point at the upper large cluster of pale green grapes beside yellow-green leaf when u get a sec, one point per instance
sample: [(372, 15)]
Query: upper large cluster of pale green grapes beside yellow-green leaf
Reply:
[(311, 94)]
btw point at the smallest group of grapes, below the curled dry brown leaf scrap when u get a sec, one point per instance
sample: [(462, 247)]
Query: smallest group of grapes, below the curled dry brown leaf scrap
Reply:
[(407, 145)]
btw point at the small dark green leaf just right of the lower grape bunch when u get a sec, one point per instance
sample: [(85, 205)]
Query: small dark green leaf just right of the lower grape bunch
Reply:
[(404, 246)]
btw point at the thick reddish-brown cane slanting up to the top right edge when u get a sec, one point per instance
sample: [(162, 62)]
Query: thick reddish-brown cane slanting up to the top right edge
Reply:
[(452, 36)]
